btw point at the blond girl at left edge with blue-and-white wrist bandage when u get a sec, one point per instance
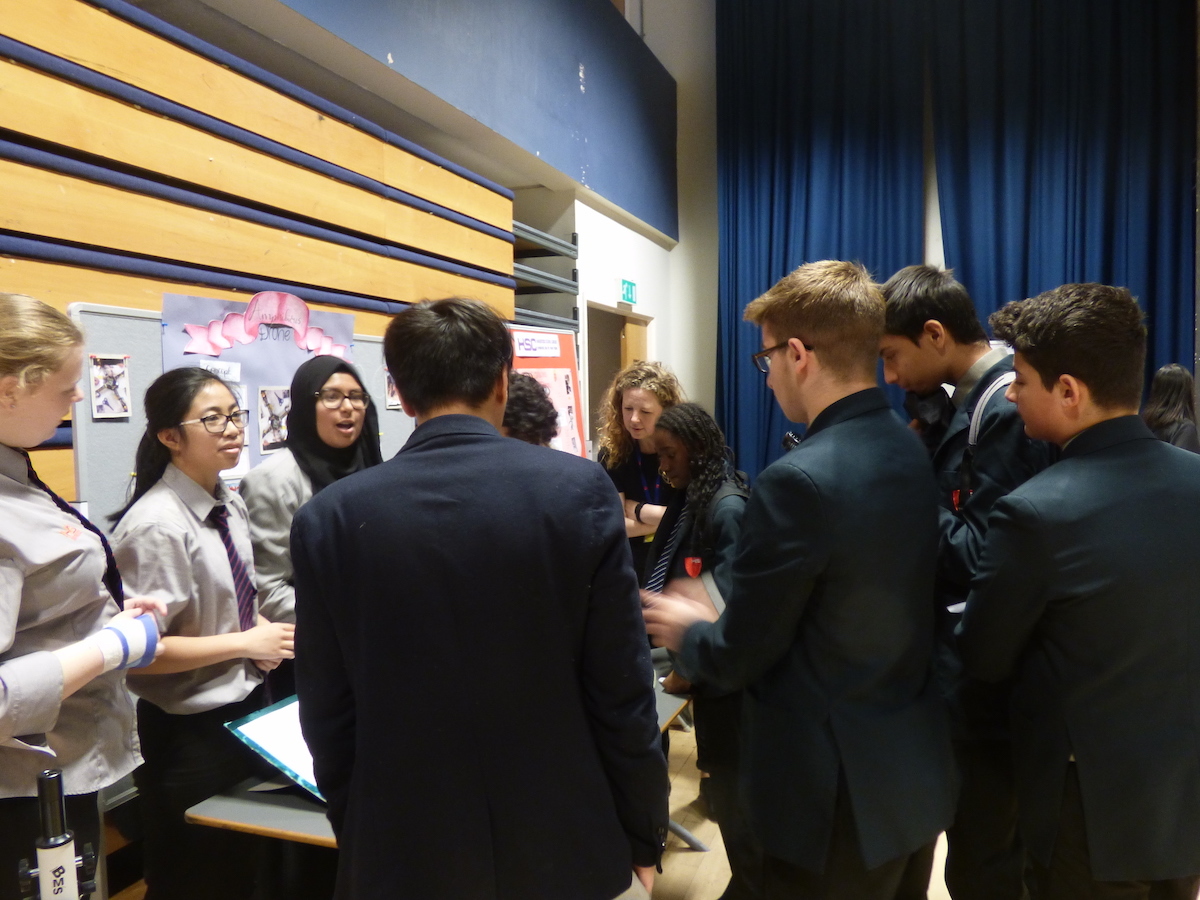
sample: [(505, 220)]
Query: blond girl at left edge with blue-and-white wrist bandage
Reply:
[(63, 699)]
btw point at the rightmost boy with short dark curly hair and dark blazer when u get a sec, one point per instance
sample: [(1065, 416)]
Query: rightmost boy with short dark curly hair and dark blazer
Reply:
[(1087, 598)]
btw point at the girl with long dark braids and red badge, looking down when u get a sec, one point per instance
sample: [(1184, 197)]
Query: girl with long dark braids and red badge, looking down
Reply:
[(699, 535)]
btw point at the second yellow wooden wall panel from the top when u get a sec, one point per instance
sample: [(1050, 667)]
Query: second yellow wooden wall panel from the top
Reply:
[(51, 110)]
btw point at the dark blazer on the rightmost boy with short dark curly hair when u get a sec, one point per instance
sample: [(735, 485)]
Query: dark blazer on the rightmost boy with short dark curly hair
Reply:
[(1089, 593)]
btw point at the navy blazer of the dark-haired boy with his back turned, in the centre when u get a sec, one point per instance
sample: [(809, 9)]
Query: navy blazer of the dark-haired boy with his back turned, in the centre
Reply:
[(475, 676)]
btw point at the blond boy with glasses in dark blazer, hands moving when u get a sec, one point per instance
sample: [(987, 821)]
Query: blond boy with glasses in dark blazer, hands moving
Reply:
[(830, 622)]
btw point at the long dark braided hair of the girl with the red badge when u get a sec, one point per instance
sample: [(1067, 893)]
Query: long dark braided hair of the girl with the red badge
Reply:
[(710, 461)]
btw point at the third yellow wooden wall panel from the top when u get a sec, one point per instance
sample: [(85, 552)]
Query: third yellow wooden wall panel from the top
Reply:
[(53, 206)]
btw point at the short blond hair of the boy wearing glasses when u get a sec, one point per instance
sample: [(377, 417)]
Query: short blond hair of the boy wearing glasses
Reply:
[(832, 305)]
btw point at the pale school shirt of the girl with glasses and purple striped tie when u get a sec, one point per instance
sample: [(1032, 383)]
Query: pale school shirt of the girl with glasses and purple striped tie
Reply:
[(166, 549)]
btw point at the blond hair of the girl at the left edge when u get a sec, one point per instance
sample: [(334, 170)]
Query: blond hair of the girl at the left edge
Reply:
[(35, 339)]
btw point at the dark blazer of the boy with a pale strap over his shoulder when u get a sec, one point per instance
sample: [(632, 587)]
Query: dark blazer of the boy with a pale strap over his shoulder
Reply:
[(1004, 459)]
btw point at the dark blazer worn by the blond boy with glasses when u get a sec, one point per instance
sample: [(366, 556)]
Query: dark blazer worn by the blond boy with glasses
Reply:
[(830, 626)]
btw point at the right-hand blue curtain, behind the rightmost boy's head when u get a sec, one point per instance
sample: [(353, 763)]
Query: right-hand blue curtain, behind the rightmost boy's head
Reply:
[(1066, 152)]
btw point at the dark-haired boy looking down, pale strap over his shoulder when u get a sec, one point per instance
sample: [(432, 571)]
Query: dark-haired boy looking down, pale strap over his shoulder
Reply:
[(933, 337)]
